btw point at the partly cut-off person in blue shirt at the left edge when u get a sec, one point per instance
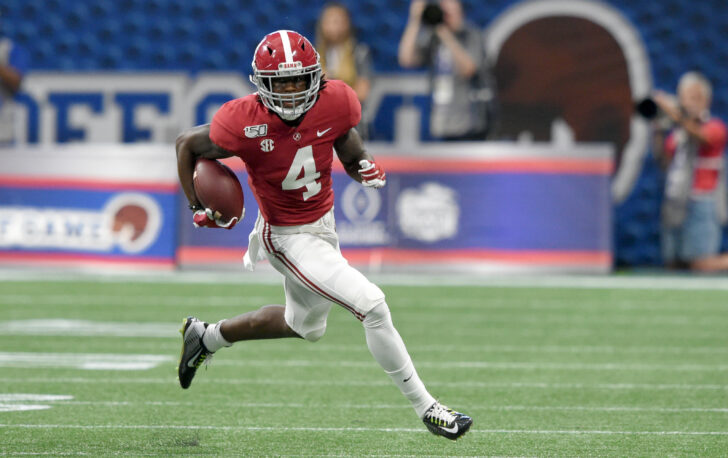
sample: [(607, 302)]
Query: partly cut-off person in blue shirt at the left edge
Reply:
[(13, 63)]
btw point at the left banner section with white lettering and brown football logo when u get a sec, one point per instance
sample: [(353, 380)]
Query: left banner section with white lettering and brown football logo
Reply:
[(90, 205)]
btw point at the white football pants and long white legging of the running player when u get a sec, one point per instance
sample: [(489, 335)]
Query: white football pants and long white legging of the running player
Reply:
[(317, 275)]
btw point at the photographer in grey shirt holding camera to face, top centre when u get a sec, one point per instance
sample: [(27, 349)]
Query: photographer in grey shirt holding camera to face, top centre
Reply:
[(461, 85)]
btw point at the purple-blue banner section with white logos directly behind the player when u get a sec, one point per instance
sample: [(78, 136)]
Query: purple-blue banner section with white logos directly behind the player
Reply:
[(501, 207)]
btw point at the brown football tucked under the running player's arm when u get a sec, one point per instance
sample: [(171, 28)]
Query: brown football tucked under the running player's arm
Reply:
[(218, 189)]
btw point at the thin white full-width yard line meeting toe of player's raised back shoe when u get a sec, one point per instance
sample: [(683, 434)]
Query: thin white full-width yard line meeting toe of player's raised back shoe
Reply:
[(371, 383)]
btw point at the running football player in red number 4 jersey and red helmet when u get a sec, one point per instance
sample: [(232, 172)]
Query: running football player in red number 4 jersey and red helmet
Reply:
[(285, 134)]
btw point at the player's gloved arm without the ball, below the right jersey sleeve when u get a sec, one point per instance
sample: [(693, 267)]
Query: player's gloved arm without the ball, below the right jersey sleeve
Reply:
[(357, 162)]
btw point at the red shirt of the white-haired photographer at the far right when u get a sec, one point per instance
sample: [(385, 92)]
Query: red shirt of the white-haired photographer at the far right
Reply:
[(709, 162)]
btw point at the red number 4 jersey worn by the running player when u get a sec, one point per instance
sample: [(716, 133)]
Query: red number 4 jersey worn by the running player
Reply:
[(289, 167)]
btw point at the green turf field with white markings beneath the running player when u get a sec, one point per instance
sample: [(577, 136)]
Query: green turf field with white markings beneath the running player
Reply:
[(543, 372)]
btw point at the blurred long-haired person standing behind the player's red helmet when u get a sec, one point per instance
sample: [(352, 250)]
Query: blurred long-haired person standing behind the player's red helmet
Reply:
[(342, 57)]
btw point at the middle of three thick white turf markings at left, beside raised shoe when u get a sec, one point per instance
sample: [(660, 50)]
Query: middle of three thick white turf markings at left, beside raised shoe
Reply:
[(87, 361)]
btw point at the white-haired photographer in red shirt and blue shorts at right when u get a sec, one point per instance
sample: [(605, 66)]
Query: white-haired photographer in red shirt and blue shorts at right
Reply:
[(694, 205)]
